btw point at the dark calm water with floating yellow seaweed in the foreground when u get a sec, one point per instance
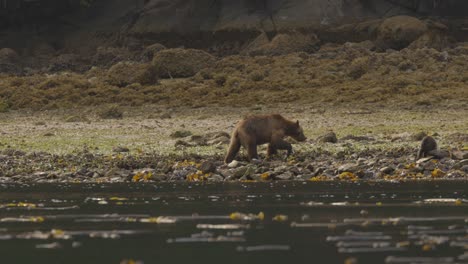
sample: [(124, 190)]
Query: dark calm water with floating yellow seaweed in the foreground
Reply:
[(292, 222)]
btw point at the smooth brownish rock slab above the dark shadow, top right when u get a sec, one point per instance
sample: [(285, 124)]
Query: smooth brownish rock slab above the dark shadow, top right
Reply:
[(269, 15)]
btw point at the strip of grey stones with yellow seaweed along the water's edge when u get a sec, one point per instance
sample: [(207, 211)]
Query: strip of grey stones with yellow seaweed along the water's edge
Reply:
[(317, 164)]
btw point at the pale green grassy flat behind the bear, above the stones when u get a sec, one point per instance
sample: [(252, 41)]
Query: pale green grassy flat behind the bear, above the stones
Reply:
[(49, 132)]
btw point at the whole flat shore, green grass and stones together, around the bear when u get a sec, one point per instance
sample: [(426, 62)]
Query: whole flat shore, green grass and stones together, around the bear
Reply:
[(190, 146)]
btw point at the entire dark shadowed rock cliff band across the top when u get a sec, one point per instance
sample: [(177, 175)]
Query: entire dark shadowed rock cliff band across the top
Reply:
[(200, 23)]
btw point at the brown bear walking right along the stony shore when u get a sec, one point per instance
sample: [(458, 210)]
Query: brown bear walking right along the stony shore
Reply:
[(261, 129)]
